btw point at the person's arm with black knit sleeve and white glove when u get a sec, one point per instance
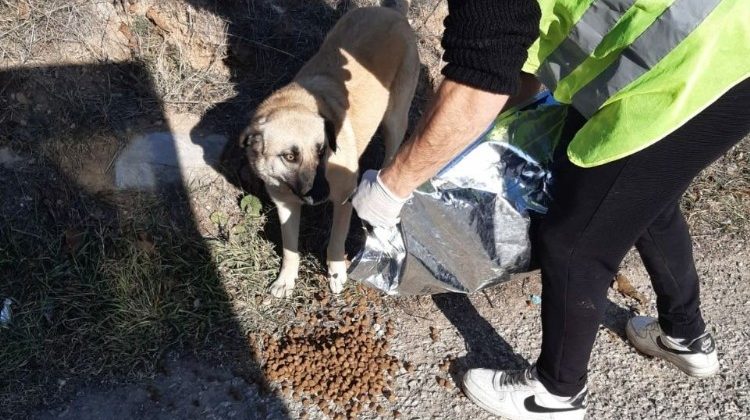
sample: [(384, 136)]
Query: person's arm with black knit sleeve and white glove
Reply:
[(486, 43)]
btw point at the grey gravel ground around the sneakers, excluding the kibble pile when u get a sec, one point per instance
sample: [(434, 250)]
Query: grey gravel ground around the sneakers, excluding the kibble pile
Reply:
[(496, 328)]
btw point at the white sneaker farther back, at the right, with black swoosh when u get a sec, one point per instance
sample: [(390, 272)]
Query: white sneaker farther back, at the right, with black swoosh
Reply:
[(696, 358)]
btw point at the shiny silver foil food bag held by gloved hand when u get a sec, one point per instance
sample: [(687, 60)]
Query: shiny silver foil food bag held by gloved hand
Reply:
[(467, 228)]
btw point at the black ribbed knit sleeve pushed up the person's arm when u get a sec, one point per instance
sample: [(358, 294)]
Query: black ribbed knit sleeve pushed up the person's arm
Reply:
[(486, 42)]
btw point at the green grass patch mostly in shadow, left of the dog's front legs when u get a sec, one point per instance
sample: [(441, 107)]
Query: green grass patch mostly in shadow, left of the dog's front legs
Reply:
[(95, 297)]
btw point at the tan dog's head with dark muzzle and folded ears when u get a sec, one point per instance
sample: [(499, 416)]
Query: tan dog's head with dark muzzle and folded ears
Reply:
[(288, 149)]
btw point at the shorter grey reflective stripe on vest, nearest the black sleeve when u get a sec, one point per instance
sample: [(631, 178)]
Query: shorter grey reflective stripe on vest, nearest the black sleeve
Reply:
[(583, 39)]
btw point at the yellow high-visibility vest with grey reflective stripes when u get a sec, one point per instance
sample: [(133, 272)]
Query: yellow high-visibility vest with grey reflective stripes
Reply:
[(638, 69)]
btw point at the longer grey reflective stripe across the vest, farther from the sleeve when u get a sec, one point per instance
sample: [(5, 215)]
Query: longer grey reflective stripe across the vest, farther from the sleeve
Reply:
[(674, 25)]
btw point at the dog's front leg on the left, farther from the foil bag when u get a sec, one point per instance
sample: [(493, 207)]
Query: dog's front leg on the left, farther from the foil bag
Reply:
[(289, 214)]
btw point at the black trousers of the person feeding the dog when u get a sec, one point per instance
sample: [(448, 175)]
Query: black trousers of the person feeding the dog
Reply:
[(599, 213)]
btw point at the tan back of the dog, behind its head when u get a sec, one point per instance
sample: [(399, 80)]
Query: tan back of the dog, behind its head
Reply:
[(370, 54)]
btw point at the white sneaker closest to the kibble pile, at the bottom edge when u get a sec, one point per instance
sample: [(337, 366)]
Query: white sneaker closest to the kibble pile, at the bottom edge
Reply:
[(518, 395)]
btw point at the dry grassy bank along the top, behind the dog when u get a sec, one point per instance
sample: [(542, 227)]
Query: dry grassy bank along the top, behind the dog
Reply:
[(198, 53)]
